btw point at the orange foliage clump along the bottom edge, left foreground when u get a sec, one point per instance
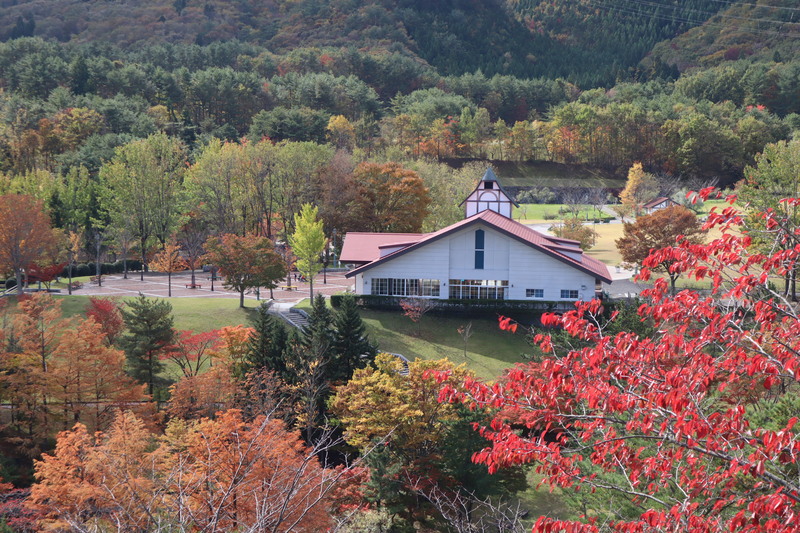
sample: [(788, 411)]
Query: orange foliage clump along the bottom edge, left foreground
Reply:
[(220, 474)]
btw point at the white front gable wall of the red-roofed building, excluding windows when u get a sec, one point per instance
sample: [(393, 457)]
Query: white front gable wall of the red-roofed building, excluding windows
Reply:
[(453, 257)]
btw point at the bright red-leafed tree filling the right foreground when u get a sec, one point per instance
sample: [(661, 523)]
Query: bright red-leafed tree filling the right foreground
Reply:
[(693, 425)]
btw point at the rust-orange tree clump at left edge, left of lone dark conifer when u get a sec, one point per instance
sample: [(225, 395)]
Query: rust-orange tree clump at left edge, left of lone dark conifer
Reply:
[(60, 370)]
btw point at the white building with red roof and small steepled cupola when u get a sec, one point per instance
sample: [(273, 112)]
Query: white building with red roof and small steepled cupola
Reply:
[(487, 255)]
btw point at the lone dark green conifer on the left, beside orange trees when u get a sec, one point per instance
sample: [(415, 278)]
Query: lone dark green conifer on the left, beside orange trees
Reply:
[(150, 332)]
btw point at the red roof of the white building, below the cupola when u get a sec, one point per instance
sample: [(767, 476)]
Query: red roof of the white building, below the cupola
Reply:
[(366, 245)]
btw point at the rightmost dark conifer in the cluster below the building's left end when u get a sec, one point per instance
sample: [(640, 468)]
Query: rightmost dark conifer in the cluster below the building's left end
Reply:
[(351, 347)]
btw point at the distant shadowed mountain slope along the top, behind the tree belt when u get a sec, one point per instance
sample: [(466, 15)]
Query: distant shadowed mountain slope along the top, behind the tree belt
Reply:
[(588, 42)]
